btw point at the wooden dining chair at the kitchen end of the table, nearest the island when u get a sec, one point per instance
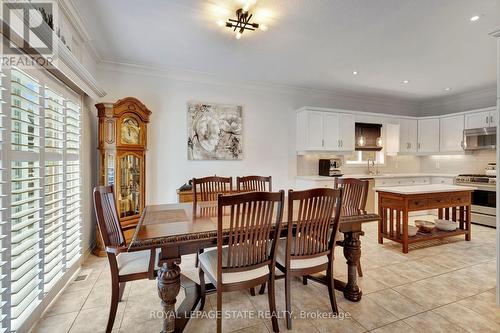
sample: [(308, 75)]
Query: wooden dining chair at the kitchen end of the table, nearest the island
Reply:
[(354, 195)]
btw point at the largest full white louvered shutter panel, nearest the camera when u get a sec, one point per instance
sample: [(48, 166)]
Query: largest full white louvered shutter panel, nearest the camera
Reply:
[(26, 195)]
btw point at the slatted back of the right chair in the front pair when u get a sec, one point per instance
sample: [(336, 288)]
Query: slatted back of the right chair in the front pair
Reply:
[(309, 224)]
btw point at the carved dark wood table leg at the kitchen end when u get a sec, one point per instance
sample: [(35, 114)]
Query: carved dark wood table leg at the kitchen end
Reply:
[(352, 253)]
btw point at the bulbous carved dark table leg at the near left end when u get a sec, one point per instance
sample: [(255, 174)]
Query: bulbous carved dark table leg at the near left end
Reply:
[(169, 285)]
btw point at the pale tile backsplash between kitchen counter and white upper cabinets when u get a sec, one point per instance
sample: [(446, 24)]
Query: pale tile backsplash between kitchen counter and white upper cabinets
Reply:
[(307, 165)]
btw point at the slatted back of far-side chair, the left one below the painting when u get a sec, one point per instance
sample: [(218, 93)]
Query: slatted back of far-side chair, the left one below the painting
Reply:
[(206, 190)]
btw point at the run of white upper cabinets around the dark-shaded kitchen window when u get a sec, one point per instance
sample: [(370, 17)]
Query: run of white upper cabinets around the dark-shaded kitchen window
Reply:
[(333, 130)]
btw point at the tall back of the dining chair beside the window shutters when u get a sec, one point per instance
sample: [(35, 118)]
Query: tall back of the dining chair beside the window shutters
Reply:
[(107, 216)]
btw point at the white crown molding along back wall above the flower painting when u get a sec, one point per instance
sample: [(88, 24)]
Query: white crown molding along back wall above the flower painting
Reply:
[(207, 78)]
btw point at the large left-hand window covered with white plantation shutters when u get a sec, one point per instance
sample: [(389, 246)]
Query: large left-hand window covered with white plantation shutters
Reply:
[(40, 189)]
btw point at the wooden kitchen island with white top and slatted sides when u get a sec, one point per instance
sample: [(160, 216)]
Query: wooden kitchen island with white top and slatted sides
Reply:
[(394, 204)]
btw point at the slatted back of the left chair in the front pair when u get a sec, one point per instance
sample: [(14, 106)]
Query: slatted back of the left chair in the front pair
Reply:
[(250, 219)]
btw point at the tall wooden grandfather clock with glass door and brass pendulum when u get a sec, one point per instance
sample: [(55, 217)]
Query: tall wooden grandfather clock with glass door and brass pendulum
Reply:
[(122, 153)]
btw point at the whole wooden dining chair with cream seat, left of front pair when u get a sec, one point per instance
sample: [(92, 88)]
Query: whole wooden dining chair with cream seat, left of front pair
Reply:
[(248, 259)]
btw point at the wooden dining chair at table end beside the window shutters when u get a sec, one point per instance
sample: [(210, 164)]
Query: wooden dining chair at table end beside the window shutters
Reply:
[(125, 266)]
